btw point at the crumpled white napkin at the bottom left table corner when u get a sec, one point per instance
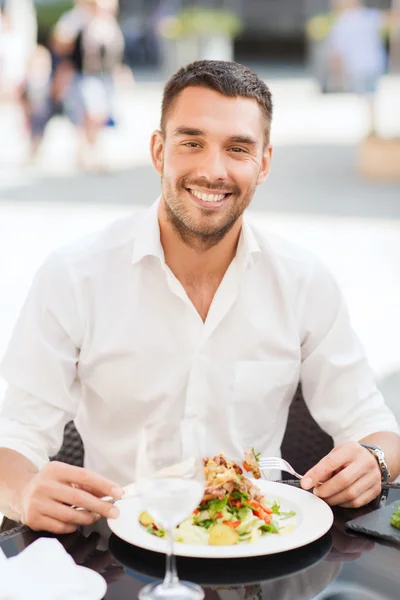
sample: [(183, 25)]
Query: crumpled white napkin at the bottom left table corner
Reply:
[(42, 570)]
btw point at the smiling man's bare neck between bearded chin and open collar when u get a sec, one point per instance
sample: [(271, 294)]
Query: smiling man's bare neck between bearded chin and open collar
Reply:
[(192, 261)]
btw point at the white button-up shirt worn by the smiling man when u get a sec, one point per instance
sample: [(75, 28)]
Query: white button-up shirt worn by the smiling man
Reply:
[(108, 337)]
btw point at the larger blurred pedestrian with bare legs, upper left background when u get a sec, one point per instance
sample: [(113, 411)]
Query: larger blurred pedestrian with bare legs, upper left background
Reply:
[(87, 47)]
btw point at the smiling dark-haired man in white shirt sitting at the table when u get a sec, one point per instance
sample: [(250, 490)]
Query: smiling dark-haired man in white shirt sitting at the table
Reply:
[(186, 311)]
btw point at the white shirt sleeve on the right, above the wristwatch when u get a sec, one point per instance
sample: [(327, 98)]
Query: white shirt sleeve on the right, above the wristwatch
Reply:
[(338, 384)]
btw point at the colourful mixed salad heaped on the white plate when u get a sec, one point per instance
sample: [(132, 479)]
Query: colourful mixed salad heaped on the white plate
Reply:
[(233, 509)]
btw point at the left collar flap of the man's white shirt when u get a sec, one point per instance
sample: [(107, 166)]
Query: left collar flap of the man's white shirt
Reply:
[(147, 239)]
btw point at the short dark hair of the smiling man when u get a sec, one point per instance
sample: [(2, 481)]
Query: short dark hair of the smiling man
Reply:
[(228, 78)]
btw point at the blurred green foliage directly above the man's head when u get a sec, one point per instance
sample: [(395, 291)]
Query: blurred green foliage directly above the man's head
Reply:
[(191, 22)]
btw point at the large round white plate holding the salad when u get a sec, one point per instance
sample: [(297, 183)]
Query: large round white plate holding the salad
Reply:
[(313, 519)]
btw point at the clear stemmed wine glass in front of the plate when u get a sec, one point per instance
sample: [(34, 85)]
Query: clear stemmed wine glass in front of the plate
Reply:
[(170, 477)]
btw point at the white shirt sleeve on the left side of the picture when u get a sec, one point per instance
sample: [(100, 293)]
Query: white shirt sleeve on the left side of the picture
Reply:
[(40, 366)]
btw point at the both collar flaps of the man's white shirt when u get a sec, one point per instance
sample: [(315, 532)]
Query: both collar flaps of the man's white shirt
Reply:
[(148, 243)]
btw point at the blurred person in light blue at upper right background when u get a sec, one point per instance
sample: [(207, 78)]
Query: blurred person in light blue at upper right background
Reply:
[(356, 50)]
